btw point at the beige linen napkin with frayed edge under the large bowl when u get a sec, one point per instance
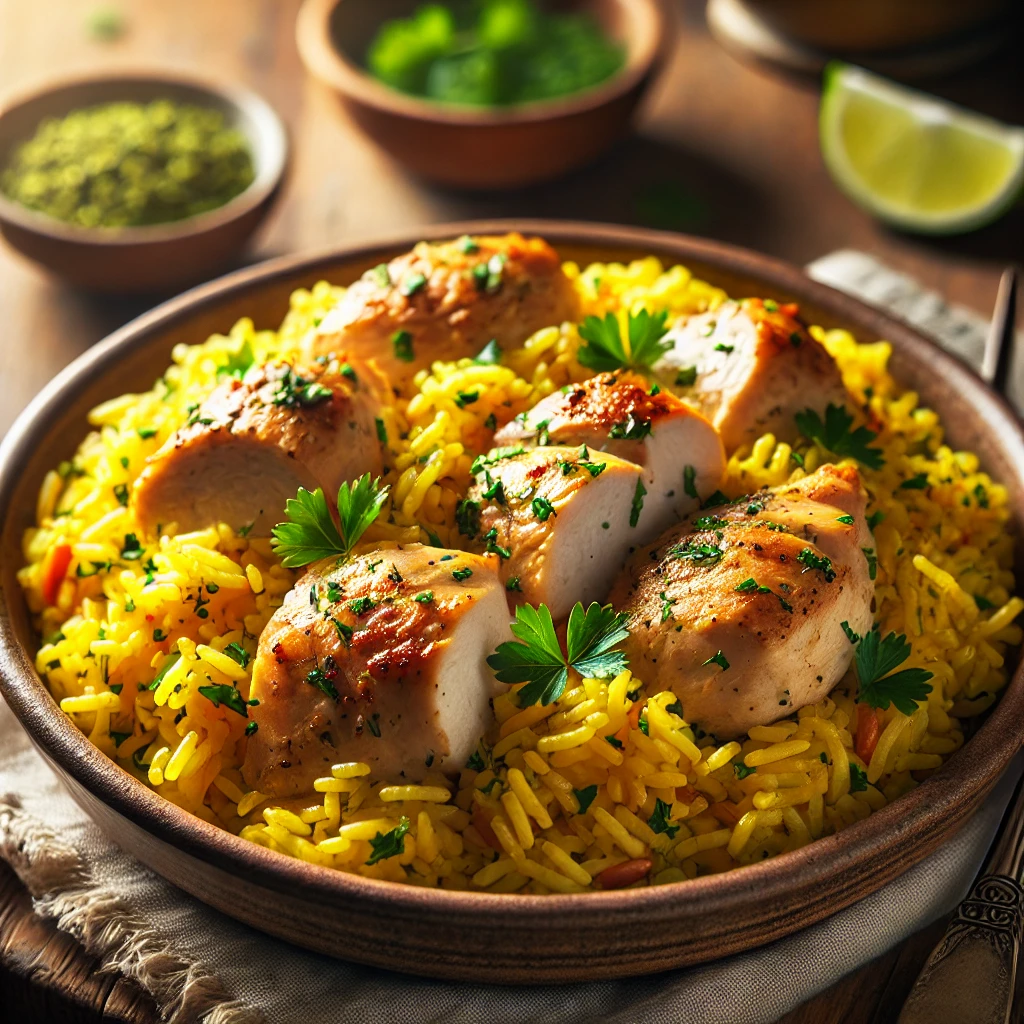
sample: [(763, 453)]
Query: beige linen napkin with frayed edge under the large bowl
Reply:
[(201, 966)]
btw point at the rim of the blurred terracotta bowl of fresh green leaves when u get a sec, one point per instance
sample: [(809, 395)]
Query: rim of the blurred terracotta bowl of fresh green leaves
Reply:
[(328, 64)]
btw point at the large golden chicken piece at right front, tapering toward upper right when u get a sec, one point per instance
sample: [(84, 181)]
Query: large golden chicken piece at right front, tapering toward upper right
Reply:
[(739, 611)]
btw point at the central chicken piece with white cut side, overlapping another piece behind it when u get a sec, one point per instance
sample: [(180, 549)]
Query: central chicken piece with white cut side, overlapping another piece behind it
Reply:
[(561, 520)]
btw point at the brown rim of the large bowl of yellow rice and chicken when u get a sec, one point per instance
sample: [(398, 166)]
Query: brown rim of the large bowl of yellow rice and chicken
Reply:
[(975, 766)]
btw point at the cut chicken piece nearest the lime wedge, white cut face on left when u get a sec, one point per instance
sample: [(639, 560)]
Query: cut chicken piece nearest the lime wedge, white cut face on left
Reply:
[(756, 368)]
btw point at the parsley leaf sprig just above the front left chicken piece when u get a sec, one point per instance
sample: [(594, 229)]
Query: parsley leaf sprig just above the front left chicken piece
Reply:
[(311, 533)]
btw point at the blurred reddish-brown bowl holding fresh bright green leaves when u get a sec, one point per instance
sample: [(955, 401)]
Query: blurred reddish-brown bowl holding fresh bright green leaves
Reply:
[(476, 148)]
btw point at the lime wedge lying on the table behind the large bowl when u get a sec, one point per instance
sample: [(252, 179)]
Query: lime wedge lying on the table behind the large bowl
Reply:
[(915, 161)]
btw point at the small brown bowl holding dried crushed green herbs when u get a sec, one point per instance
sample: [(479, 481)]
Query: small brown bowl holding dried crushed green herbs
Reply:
[(162, 258)]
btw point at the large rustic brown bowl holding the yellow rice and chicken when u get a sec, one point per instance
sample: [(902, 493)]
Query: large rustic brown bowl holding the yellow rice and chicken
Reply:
[(439, 933)]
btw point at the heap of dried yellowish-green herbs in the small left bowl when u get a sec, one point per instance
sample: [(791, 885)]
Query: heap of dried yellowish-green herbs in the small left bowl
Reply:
[(130, 164)]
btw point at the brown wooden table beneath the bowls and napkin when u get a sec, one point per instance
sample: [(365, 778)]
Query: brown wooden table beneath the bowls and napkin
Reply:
[(724, 150)]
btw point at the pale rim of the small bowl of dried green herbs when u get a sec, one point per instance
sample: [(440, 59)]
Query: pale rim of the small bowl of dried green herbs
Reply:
[(274, 143)]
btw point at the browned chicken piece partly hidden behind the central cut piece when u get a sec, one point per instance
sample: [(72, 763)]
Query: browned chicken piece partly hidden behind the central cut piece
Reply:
[(679, 450)]
